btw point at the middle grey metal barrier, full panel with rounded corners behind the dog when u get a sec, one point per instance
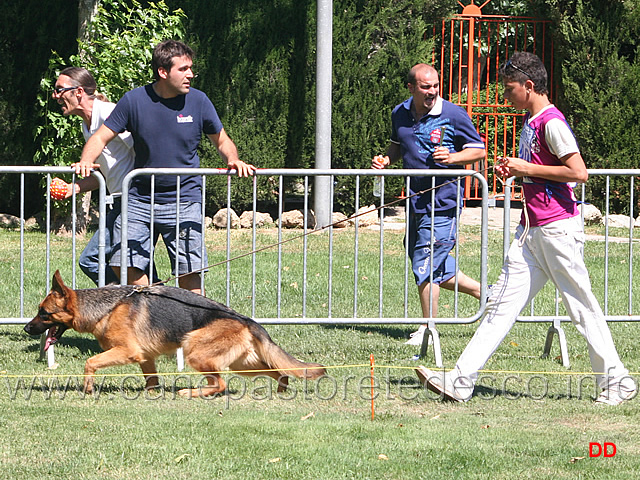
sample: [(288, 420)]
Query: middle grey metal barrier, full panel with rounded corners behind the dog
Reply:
[(303, 316)]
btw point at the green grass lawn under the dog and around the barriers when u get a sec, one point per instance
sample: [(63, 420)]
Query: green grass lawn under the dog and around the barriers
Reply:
[(537, 424)]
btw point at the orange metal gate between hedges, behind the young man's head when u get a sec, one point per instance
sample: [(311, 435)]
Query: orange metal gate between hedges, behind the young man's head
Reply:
[(470, 48)]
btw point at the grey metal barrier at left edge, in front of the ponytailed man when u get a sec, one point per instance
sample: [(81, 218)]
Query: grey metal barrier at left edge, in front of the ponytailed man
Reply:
[(19, 315)]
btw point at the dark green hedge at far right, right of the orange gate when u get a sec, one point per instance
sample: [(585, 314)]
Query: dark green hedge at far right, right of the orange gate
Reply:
[(597, 45)]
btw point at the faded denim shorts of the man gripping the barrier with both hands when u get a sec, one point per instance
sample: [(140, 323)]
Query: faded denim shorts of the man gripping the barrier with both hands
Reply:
[(190, 254)]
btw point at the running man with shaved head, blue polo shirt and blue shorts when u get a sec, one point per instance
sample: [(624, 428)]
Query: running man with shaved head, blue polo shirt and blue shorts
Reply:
[(432, 133)]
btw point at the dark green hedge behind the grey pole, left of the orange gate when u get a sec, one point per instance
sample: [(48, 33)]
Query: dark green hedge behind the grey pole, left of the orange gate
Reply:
[(266, 94)]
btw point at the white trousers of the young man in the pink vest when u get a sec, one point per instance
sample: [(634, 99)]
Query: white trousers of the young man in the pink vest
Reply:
[(550, 252)]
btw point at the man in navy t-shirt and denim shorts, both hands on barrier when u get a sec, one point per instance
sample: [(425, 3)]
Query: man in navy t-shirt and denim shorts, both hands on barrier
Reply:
[(166, 119)]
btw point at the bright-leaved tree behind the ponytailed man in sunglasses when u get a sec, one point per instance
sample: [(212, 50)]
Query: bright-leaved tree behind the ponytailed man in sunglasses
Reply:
[(121, 31)]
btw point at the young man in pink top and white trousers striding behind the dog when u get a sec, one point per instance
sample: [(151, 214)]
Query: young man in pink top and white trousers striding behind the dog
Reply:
[(548, 246)]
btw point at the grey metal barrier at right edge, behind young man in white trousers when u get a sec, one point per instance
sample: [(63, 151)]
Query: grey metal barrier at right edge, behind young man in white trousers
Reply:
[(558, 315)]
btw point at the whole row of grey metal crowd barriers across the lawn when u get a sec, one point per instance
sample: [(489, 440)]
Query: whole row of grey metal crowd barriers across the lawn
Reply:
[(282, 315)]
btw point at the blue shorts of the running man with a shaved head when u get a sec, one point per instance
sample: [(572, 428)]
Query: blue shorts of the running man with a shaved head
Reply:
[(420, 250)]
